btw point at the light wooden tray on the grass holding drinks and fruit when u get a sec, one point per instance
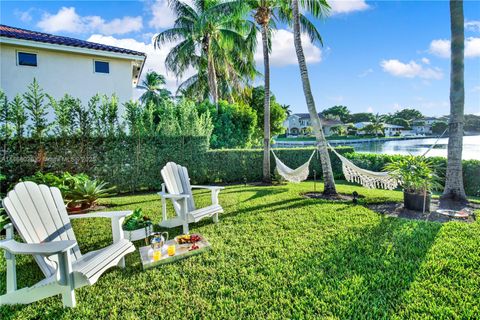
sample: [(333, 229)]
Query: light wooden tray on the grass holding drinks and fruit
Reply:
[(181, 252)]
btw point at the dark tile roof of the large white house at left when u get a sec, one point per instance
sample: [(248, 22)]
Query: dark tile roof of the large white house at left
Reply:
[(17, 33)]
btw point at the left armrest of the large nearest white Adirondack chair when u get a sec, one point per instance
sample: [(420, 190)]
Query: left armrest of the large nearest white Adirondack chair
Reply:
[(44, 249)]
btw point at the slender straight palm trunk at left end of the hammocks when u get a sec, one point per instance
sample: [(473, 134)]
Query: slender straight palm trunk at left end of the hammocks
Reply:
[(266, 107)]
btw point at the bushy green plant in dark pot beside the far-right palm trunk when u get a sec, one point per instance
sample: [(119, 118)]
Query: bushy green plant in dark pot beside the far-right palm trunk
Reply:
[(416, 176)]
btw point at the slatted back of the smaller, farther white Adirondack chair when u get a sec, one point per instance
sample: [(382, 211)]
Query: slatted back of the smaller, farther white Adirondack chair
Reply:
[(177, 181)]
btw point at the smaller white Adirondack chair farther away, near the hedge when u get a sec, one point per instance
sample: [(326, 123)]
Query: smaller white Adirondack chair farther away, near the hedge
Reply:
[(177, 183)]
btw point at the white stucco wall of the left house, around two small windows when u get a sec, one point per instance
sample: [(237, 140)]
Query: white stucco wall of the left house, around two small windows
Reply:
[(59, 73)]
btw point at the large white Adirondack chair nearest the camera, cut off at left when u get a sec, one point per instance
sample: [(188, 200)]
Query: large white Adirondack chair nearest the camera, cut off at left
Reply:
[(40, 217)]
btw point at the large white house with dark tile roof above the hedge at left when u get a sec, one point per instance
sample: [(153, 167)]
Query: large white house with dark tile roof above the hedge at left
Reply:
[(66, 65)]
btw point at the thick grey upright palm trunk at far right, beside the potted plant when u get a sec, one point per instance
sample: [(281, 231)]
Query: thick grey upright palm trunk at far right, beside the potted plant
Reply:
[(454, 181)]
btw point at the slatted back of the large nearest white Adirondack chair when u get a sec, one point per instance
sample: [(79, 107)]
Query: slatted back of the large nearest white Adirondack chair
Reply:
[(38, 213)]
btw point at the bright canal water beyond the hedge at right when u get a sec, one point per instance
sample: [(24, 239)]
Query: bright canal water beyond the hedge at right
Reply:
[(471, 147)]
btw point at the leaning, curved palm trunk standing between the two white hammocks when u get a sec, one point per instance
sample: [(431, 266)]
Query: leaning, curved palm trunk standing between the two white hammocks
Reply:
[(329, 187)]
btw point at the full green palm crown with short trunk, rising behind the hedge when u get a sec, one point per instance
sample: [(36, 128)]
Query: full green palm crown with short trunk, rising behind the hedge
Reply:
[(210, 33)]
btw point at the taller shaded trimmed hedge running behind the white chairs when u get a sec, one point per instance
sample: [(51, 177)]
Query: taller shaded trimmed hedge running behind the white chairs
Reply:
[(131, 164)]
